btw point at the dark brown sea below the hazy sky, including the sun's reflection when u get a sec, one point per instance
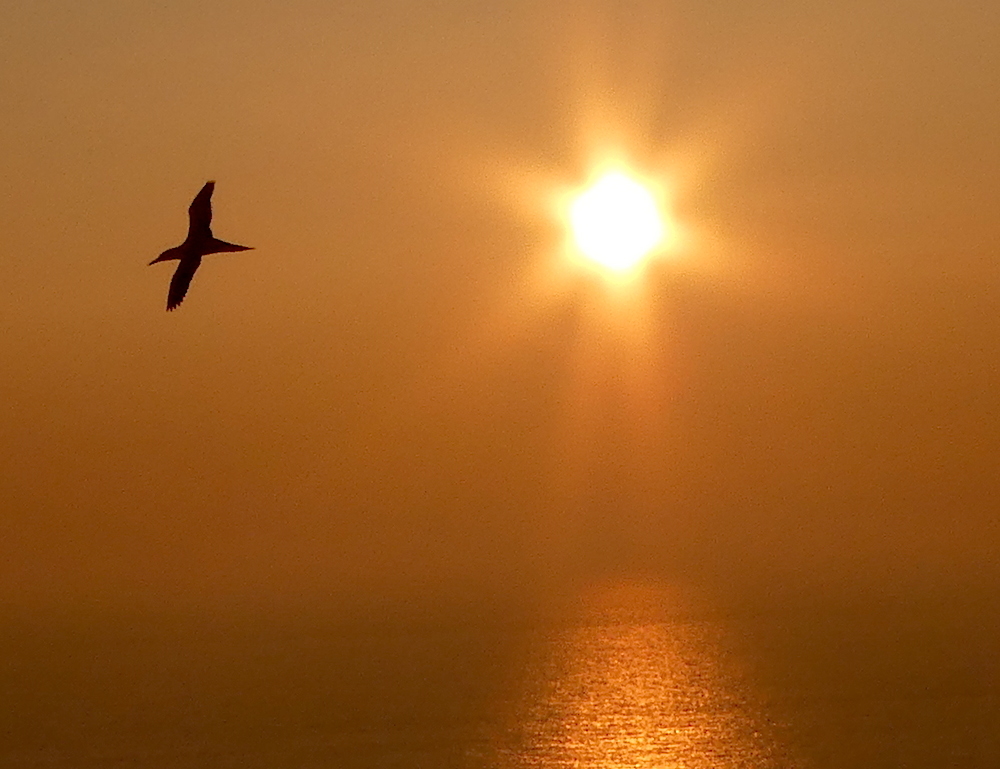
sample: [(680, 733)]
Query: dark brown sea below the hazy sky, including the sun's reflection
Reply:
[(625, 674)]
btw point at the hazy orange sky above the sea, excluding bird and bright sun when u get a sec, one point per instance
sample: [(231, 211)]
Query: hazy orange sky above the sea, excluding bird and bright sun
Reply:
[(392, 396)]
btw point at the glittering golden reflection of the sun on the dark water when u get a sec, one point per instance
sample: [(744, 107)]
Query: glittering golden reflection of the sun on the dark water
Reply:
[(632, 682)]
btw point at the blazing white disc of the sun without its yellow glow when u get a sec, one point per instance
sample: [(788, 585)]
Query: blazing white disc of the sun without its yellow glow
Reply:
[(615, 222)]
